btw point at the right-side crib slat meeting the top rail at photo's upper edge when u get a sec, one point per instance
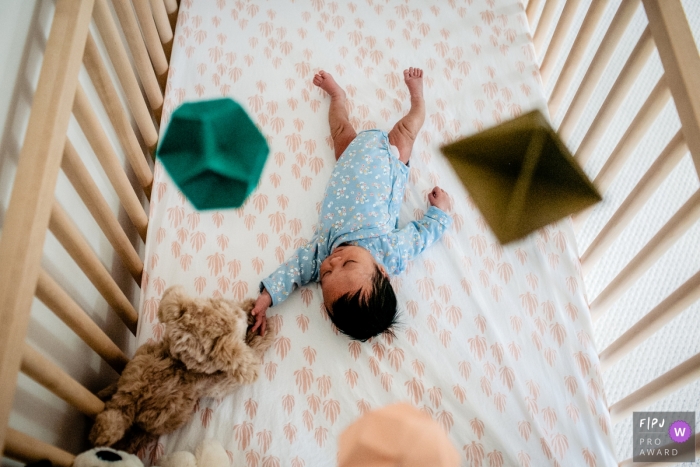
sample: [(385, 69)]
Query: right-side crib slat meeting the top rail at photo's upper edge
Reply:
[(602, 57)]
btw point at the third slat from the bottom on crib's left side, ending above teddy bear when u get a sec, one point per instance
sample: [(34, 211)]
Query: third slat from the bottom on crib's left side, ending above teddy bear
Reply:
[(54, 297)]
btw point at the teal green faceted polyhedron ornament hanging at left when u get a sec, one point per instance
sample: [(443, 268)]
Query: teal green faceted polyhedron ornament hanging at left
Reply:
[(214, 153)]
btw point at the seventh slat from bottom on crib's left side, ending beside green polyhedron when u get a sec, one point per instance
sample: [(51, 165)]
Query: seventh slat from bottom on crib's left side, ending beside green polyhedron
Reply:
[(120, 121)]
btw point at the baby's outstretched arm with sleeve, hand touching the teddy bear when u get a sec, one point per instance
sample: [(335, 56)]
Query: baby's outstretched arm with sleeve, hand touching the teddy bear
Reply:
[(297, 271)]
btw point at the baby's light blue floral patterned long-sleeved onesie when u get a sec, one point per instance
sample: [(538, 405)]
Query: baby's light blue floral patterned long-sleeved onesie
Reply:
[(361, 207)]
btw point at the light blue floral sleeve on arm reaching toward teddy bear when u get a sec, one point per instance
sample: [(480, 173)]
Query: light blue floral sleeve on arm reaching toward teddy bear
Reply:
[(297, 271)]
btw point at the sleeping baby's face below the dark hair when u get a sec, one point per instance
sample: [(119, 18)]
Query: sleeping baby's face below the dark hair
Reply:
[(347, 269)]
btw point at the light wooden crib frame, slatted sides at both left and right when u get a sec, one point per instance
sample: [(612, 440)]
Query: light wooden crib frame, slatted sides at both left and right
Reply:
[(141, 67)]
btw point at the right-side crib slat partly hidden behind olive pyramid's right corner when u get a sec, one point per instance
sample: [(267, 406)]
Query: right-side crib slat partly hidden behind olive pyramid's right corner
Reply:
[(642, 122)]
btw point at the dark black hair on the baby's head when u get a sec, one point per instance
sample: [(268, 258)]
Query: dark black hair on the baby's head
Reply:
[(361, 317)]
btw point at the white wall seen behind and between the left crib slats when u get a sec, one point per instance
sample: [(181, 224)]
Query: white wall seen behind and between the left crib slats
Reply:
[(24, 28)]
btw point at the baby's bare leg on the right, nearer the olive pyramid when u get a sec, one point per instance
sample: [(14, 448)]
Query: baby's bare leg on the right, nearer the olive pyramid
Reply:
[(406, 130)]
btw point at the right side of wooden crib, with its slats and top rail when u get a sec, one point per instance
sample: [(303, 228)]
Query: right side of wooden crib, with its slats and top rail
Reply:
[(667, 31)]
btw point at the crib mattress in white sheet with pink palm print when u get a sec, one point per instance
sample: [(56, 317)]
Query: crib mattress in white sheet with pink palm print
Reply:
[(494, 342)]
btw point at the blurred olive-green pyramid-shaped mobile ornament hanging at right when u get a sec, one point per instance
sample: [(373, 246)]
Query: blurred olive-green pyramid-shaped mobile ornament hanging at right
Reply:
[(521, 176)]
